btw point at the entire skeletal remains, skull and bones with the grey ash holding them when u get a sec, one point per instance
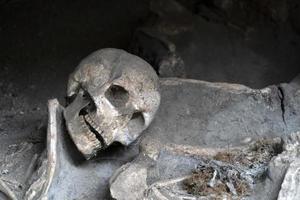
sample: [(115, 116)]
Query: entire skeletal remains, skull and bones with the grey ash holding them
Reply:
[(113, 97)]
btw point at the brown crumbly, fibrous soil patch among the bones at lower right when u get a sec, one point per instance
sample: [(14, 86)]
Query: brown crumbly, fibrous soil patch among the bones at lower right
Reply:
[(257, 154)]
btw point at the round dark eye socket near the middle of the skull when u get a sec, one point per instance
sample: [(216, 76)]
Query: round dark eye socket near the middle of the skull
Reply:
[(117, 95)]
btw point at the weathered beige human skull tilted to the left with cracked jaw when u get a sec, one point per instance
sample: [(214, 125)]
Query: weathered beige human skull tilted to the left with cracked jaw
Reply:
[(113, 97)]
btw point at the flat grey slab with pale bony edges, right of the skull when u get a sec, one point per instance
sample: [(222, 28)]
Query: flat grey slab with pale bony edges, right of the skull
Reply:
[(209, 114)]
